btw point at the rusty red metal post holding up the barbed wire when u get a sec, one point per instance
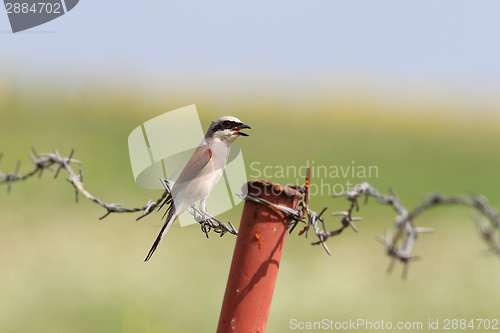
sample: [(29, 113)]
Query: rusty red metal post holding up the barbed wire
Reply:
[(256, 259)]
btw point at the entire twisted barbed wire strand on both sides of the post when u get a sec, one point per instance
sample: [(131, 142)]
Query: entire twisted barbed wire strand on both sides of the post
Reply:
[(398, 247)]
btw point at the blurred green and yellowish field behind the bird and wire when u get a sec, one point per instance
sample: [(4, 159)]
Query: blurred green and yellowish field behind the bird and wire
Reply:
[(63, 270)]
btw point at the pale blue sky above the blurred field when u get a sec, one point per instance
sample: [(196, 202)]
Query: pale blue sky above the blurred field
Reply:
[(451, 43)]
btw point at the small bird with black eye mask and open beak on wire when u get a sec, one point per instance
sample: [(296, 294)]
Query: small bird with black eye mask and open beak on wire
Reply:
[(201, 173)]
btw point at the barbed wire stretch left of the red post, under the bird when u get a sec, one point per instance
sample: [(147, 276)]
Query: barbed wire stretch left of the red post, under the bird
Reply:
[(50, 161)]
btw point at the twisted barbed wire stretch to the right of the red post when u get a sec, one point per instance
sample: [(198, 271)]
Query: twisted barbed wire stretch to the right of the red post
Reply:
[(400, 246)]
